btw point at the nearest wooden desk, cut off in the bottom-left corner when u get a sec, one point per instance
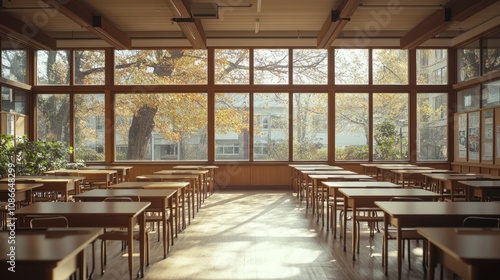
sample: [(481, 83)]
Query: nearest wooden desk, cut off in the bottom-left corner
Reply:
[(47, 254)]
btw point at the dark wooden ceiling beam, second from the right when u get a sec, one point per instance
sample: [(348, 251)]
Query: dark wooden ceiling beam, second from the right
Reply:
[(335, 22)]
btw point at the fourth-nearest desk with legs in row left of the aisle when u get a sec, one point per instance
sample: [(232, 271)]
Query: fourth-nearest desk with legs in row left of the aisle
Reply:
[(180, 186)]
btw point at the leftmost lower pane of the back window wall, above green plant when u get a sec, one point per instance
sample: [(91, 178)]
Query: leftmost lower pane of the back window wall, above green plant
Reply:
[(53, 117)]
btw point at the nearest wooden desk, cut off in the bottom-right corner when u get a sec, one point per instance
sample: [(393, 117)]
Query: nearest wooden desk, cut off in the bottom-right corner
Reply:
[(471, 253)]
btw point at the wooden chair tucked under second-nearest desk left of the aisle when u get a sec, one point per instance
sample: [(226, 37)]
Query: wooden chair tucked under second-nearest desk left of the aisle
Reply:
[(120, 234)]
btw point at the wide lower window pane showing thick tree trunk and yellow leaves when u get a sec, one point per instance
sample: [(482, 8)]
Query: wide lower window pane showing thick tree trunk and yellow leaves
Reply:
[(161, 126)]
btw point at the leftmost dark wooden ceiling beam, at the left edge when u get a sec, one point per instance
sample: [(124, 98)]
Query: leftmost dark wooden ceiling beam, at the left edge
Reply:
[(25, 33)]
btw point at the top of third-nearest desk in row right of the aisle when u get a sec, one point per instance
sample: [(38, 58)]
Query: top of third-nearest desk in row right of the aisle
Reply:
[(385, 193)]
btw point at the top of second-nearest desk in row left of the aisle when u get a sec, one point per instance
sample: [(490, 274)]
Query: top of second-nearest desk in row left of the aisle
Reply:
[(84, 208)]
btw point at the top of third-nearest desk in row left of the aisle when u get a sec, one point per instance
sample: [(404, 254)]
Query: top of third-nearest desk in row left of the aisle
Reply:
[(142, 193)]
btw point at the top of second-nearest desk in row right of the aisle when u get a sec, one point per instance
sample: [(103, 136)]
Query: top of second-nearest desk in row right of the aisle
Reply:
[(423, 208)]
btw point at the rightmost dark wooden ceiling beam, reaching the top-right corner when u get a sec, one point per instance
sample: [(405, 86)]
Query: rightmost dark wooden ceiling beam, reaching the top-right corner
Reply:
[(455, 10)]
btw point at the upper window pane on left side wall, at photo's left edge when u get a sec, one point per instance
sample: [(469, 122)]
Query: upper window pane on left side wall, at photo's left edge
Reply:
[(14, 65)]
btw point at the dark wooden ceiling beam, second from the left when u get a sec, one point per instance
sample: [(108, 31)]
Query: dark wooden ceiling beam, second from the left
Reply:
[(83, 15)]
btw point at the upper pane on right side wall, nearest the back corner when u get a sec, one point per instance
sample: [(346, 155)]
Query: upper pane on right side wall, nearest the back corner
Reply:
[(468, 62)]
